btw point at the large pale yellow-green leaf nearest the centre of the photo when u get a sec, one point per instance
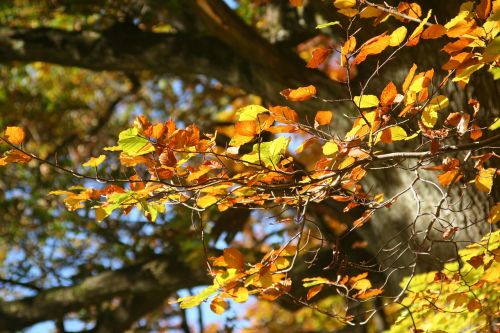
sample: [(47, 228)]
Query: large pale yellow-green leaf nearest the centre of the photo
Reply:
[(267, 153)]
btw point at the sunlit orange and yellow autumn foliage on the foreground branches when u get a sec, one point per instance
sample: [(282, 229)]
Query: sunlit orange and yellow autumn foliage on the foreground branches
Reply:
[(266, 165)]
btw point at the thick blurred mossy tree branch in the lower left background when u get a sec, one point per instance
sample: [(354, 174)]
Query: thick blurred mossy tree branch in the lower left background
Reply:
[(161, 276)]
